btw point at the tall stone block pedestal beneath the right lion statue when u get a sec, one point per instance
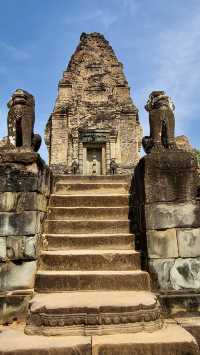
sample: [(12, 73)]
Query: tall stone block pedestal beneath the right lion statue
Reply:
[(166, 185)]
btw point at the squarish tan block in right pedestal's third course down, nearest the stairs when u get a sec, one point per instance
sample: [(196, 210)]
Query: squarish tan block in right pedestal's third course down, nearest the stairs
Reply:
[(162, 244)]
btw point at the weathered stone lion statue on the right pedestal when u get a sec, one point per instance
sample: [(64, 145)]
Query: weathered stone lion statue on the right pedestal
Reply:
[(162, 122)]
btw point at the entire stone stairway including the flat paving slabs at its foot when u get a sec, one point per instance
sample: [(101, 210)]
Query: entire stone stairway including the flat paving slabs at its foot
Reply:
[(91, 296)]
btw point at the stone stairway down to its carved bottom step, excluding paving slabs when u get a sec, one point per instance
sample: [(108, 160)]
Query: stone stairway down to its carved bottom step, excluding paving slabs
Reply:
[(89, 279)]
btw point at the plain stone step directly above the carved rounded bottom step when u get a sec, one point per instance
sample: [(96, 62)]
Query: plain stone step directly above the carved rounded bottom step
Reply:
[(57, 281)]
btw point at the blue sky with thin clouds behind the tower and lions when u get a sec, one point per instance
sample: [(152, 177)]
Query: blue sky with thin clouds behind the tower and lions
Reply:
[(157, 41)]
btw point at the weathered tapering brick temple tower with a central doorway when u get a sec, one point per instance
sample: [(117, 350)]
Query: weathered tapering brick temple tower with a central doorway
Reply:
[(94, 125)]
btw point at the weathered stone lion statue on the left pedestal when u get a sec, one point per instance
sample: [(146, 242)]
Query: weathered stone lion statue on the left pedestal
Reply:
[(21, 119)]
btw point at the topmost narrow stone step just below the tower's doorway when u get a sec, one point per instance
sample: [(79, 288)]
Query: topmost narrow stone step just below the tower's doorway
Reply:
[(90, 178)]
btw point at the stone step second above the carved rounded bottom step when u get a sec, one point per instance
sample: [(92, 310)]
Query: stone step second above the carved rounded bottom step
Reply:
[(89, 260)]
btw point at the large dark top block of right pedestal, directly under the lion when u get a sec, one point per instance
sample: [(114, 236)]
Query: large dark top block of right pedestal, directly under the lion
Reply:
[(168, 176)]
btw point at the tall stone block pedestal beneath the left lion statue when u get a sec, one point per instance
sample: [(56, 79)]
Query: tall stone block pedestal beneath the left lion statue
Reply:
[(24, 189)]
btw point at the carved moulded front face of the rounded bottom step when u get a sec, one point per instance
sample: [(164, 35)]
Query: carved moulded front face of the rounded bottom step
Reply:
[(140, 318)]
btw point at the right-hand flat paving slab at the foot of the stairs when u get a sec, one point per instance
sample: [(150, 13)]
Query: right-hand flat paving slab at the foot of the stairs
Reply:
[(170, 340)]
